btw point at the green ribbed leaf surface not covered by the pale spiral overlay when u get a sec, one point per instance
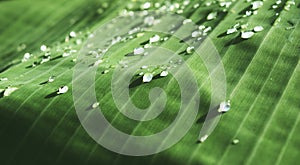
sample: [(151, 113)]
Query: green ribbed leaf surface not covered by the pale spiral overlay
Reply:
[(38, 126)]
